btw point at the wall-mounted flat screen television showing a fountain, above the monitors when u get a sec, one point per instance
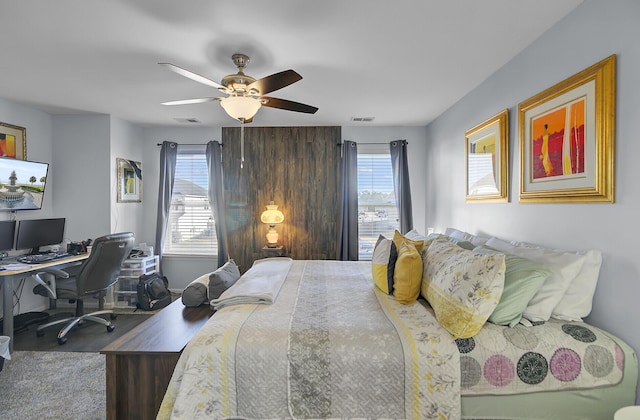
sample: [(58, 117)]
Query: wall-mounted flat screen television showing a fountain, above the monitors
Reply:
[(22, 184)]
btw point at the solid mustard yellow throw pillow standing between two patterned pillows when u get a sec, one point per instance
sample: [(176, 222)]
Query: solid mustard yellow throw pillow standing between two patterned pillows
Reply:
[(408, 273)]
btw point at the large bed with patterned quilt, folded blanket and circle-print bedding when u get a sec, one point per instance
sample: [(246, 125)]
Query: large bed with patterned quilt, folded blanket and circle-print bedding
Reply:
[(322, 339)]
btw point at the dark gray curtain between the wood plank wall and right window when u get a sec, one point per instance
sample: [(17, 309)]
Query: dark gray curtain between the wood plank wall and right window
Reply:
[(348, 217)]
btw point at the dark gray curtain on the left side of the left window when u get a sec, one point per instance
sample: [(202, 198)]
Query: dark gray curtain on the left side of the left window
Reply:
[(168, 154)]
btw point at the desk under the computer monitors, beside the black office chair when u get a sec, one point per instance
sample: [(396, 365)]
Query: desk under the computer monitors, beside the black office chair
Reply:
[(7, 277)]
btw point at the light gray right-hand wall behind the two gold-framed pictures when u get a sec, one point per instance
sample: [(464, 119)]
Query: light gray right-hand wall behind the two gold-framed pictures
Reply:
[(595, 30)]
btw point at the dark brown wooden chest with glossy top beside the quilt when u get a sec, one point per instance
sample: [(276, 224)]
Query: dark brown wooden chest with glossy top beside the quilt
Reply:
[(139, 364)]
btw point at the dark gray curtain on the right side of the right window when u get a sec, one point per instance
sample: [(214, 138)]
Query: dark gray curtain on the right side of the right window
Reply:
[(400, 168)]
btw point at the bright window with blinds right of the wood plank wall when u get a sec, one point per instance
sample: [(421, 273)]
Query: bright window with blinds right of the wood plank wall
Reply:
[(377, 210)]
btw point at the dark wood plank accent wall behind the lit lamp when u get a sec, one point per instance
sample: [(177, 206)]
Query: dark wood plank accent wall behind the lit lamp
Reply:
[(297, 168)]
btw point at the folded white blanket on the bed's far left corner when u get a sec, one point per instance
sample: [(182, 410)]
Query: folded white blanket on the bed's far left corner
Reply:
[(256, 286)]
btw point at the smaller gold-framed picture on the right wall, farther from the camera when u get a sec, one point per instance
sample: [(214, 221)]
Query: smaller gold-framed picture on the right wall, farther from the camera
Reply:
[(487, 157)]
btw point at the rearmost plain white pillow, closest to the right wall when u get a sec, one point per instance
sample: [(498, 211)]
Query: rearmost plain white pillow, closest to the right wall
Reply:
[(578, 299)]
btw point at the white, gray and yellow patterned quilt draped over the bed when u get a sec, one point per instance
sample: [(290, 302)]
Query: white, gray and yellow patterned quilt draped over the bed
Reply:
[(330, 346)]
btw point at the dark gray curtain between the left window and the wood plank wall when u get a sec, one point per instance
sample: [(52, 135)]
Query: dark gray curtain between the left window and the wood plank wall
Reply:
[(216, 197)]
